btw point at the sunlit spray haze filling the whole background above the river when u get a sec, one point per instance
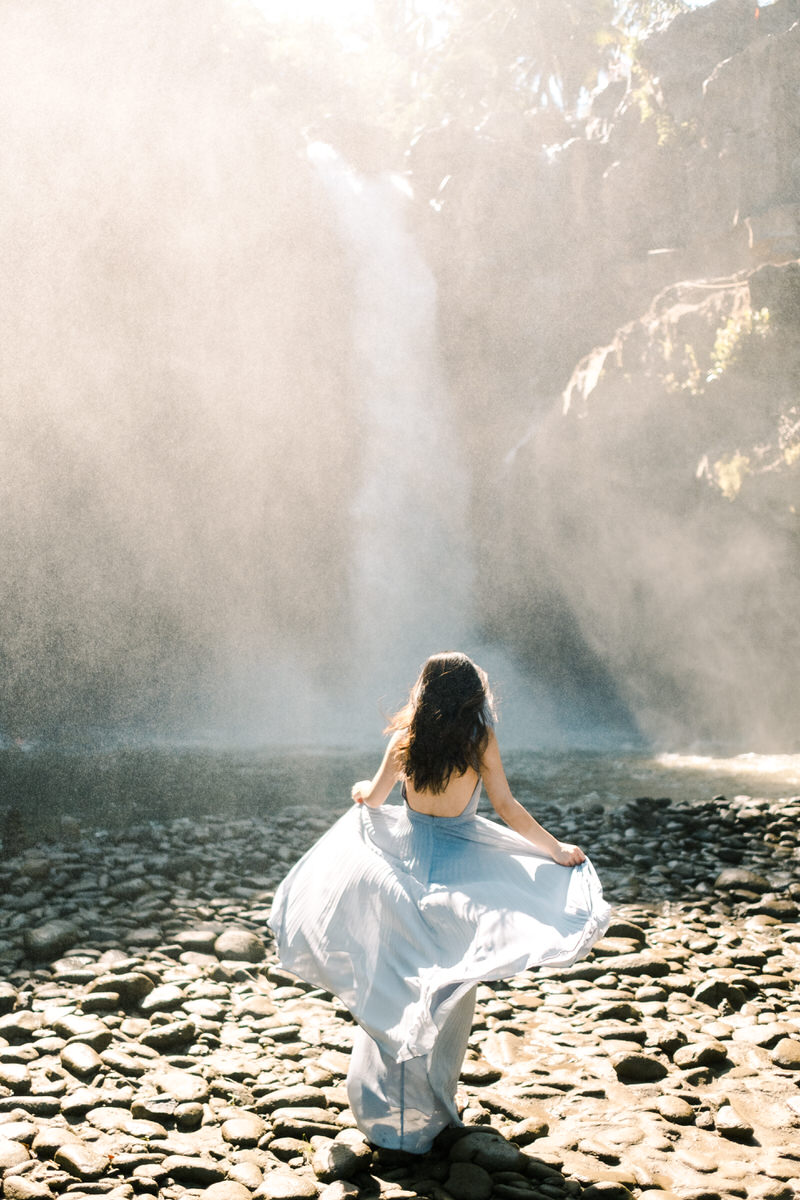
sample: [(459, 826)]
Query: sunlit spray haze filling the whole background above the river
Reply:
[(258, 401)]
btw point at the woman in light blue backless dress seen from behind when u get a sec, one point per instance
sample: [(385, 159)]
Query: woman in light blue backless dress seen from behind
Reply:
[(402, 911)]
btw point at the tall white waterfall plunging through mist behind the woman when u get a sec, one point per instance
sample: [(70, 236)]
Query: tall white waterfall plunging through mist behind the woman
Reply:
[(413, 571)]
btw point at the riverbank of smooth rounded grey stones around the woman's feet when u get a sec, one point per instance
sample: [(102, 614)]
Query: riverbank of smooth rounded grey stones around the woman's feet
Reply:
[(152, 1046)]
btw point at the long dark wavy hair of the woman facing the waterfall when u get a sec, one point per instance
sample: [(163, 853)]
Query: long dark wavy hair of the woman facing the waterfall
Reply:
[(446, 725)]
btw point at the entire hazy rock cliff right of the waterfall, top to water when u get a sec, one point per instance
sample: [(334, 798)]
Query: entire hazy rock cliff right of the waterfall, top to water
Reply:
[(652, 513)]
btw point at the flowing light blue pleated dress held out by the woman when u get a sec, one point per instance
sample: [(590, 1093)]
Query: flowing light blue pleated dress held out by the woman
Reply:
[(402, 915)]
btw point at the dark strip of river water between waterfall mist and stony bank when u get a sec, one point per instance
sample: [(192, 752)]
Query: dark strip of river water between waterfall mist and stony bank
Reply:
[(113, 789)]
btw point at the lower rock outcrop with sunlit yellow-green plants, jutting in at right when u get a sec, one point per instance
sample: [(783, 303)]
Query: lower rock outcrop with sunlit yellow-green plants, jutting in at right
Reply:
[(663, 507)]
